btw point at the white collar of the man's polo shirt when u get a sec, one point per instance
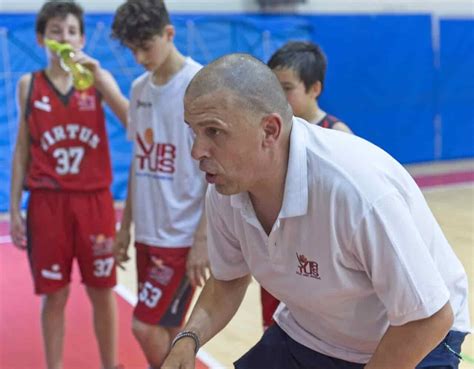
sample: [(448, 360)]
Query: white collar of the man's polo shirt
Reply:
[(295, 199)]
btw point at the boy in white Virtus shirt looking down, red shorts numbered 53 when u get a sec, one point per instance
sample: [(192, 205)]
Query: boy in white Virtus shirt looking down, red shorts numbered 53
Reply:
[(166, 189)]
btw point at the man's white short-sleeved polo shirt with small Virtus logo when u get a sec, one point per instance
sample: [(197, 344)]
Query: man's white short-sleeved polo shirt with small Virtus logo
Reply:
[(355, 247)]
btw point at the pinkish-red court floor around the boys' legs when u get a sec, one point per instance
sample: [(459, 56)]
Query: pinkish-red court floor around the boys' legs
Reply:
[(20, 333)]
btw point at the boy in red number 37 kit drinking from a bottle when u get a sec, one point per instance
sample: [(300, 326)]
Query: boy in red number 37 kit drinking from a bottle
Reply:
[(62, 158)]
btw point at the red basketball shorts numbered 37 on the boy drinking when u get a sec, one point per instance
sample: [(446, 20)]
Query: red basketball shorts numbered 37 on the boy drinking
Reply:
[(63, 226)]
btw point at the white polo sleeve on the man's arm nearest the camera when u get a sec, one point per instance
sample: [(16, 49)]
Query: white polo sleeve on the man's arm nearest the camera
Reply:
[(398, 262)]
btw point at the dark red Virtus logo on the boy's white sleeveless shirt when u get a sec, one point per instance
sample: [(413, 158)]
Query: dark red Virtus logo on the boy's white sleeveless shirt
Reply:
[(155, 156)]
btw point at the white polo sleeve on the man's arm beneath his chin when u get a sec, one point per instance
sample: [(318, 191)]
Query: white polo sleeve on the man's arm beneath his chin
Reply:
[(225, 254)]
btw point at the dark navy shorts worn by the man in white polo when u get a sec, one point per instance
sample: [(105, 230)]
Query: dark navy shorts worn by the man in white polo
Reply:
[(277, 350)]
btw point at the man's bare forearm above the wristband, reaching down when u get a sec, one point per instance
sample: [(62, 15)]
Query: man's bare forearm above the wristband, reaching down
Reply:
[(217, 304)]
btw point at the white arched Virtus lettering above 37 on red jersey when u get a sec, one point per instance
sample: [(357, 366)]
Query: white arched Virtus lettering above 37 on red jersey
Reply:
[(70, 131)]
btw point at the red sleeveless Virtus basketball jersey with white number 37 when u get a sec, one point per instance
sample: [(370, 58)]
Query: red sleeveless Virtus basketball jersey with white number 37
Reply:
[(68, 141)]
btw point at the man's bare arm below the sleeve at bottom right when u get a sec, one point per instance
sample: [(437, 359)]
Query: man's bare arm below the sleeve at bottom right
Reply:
[(403, 347)]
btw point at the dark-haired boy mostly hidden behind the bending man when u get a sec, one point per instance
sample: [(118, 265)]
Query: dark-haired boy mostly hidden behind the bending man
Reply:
[(300, 66)]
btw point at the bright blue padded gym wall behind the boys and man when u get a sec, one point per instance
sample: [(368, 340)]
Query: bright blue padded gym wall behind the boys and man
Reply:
[(385, 78)]
